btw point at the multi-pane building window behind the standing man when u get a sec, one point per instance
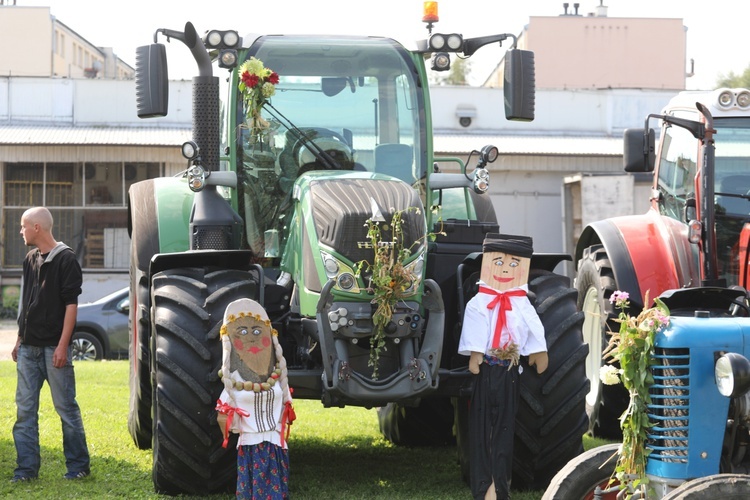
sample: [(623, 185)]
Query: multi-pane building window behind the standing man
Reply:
[(87, 200)]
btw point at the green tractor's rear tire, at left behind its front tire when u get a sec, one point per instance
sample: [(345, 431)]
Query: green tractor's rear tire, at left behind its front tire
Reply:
[(144, 237)]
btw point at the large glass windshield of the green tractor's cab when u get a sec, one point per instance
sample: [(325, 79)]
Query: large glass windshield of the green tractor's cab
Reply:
[(344, 103)]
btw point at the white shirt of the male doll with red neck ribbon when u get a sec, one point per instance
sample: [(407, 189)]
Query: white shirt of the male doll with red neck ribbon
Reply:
[(522, 322)]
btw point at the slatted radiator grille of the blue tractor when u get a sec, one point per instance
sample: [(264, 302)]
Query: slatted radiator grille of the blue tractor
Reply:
[(669, 411)]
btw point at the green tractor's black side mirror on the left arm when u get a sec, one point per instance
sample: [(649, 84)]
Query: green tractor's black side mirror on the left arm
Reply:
[(151, 80)]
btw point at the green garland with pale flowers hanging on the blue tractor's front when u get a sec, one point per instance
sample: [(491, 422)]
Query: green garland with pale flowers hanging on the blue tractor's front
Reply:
[(633, 348)]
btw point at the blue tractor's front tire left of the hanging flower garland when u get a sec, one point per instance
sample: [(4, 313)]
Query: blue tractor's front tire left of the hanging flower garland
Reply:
[(581, 476)]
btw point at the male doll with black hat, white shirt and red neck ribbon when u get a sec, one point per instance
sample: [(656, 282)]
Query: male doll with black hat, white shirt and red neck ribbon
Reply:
[(500, 325)]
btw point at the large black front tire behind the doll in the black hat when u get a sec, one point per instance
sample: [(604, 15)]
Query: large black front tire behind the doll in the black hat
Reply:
[(551, 418)]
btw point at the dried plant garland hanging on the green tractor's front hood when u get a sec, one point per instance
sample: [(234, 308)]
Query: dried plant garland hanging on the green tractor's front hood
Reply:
[(389, 278)]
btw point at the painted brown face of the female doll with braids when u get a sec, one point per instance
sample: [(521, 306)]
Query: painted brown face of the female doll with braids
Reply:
[(251, 340)]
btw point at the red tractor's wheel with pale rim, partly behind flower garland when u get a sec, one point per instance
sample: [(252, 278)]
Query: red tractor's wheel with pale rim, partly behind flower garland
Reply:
[(596, 283)]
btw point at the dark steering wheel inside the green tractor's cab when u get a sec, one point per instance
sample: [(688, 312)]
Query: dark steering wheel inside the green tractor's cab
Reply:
[(327, 140)]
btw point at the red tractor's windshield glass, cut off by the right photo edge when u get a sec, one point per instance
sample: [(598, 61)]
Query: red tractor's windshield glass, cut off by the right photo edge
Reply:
[(732, 190)]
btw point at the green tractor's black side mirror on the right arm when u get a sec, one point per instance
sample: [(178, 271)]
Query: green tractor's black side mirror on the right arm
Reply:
[(519, 85)]
